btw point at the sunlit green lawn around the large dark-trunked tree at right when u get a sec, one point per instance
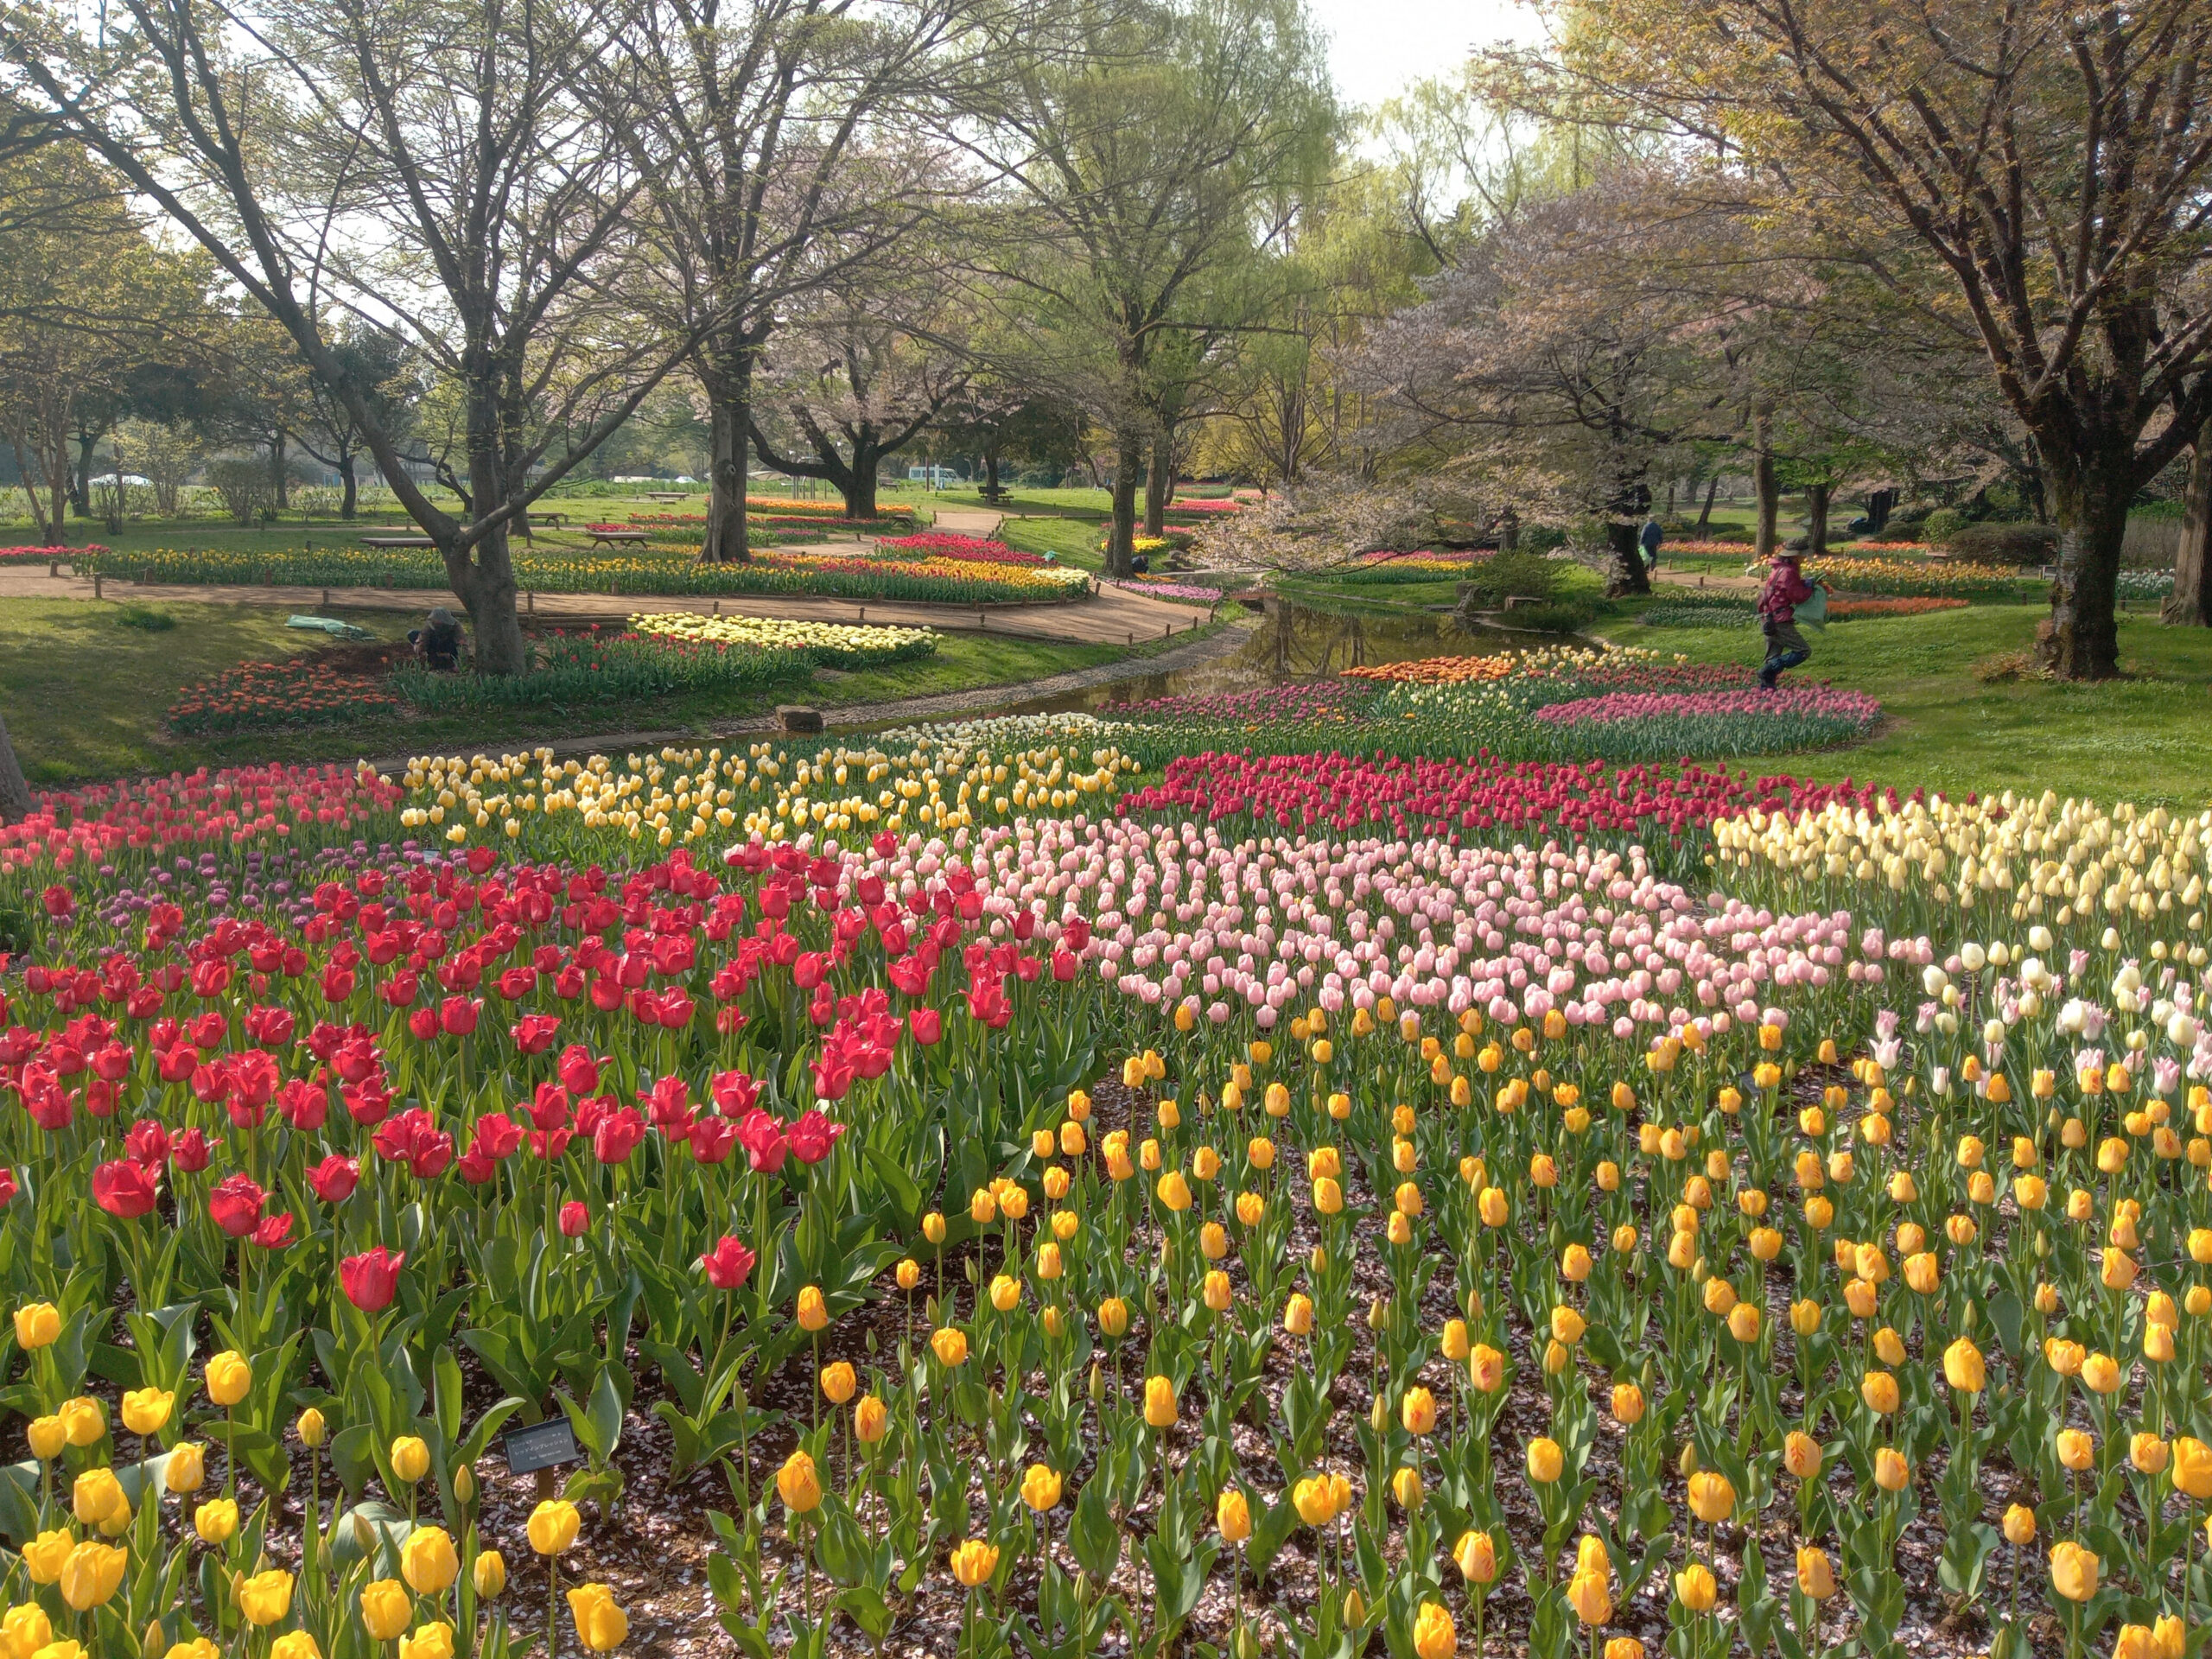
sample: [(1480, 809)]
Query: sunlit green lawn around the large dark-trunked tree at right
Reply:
[(2142, 738)]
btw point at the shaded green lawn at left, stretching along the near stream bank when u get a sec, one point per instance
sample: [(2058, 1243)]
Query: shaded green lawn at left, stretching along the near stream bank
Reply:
[(85, 696)]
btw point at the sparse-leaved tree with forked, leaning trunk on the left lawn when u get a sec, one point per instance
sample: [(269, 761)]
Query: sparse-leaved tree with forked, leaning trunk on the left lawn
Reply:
[(432, 165)]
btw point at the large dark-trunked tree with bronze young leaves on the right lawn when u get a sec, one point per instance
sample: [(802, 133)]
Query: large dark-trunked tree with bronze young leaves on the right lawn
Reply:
[(2049, 158)]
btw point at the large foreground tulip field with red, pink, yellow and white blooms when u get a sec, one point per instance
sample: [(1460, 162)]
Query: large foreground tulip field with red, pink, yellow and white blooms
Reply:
[(1112, 1187)]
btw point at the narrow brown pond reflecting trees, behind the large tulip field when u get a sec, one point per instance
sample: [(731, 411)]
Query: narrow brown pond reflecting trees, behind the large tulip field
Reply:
[(1293, 643)]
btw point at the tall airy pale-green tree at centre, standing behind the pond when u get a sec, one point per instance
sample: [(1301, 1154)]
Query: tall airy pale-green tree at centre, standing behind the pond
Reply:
[(1134, 143)]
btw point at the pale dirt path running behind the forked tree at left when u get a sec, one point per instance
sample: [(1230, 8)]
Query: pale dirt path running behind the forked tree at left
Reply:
[(1112, 618)]
